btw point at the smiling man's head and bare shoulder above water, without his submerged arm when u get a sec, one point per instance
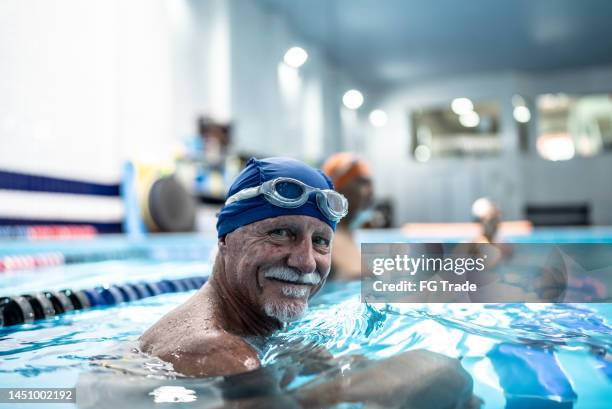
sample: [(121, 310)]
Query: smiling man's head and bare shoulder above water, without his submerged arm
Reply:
[(275, 233)]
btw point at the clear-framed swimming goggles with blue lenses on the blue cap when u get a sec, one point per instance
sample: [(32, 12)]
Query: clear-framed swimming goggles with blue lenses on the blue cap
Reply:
[(292, 193)]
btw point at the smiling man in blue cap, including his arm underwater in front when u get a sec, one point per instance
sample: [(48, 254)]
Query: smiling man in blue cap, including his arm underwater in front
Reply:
[(275, 234)]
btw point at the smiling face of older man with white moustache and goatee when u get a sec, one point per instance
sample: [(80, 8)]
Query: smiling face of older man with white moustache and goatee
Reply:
[(278, 263)]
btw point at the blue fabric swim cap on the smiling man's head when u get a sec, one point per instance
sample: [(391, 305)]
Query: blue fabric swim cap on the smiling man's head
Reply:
[(257, 208)]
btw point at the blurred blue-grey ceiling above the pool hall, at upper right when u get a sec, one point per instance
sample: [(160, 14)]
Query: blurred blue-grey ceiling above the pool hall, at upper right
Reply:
[(390, 41)]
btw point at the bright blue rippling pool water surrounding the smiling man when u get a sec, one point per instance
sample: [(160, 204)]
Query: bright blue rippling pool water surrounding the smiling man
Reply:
[(519, 355)]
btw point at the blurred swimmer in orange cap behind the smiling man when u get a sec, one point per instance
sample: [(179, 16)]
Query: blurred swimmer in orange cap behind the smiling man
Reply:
[(352, 178)]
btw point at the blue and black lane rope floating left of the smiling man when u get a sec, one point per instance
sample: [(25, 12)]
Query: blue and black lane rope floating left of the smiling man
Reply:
[(27, 308)]
